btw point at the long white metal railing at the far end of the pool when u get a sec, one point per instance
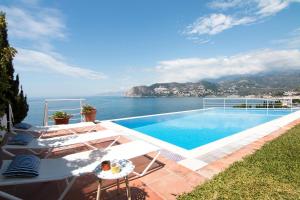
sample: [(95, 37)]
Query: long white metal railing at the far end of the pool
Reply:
[(252, 103)]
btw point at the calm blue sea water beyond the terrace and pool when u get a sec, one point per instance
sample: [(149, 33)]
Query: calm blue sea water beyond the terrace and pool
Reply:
[(117, 107)]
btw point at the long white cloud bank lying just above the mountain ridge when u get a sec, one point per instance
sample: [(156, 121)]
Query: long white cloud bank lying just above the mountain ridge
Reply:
[(194, 69)]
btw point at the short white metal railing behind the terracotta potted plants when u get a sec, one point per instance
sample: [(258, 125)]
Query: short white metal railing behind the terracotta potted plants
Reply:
[(72, 110)]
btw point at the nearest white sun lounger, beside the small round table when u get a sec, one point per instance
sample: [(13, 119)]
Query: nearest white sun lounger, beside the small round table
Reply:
[(74, 165)]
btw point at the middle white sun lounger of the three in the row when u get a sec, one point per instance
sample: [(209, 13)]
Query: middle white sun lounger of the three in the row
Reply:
[(36, 146)]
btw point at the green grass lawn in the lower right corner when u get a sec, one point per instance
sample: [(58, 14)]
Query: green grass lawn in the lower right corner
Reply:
[(273, 172)]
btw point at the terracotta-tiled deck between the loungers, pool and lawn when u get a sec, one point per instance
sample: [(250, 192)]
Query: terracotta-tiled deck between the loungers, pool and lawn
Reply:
[(166, 180)]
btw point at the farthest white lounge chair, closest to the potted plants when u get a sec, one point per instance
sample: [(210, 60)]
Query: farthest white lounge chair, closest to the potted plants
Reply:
[(40, 130)]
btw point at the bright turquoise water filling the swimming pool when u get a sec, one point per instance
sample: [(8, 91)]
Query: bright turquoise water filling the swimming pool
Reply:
[(193, 129)]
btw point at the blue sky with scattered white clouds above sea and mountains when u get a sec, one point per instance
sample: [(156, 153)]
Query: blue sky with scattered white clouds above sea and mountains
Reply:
[(82, 48)]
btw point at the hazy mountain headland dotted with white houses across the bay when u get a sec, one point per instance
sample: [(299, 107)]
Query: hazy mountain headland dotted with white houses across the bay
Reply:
[(273, 83)]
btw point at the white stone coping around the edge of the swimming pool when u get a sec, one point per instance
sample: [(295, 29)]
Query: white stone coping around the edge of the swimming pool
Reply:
[(191, 160)]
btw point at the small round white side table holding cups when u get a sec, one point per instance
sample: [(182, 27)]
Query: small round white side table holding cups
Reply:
[(126, 168)]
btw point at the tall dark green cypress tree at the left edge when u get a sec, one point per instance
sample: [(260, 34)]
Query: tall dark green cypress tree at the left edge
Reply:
[(9, 85)]
